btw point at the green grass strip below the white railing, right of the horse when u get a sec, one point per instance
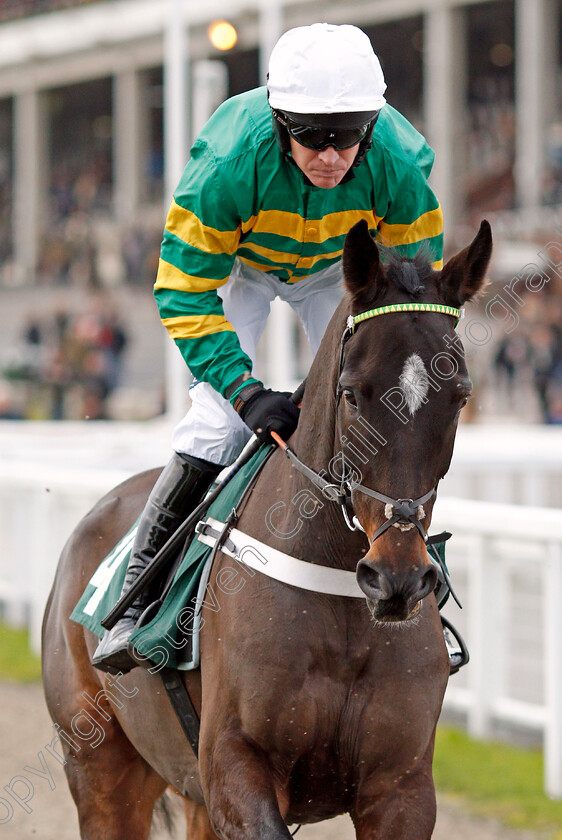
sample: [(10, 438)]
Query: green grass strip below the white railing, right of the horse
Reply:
[(496, 780)]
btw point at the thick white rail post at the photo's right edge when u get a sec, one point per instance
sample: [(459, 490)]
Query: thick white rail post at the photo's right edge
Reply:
[(553, 671)]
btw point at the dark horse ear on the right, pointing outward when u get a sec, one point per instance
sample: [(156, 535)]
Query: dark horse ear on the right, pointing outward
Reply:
[(464, 274)]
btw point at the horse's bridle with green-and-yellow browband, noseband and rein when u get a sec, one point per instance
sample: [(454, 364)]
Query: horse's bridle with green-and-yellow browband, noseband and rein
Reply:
[(401, 513)]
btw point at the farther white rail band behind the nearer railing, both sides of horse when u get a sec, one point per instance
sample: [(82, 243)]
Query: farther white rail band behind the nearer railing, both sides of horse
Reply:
[(513, 463)]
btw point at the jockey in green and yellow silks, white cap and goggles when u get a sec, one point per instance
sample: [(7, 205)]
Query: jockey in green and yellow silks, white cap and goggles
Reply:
[(275, 180)]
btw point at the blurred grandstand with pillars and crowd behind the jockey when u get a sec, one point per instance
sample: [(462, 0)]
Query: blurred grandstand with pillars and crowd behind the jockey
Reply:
[(83, 193)]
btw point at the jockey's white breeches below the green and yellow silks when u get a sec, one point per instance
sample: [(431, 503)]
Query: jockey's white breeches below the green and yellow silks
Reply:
[(211, 429)]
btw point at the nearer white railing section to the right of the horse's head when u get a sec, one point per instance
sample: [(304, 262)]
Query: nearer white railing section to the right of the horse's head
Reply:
[(506, 566)]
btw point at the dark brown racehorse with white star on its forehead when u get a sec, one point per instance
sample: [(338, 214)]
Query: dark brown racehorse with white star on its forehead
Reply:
[(311, 704)]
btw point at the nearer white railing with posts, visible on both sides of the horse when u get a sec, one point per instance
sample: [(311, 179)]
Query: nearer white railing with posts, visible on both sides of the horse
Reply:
[(505, 560)]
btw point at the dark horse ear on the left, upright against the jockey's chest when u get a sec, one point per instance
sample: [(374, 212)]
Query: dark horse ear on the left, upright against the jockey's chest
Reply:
[(361, 263)]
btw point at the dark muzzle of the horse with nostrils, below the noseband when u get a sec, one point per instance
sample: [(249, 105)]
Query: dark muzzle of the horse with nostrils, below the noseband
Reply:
[(393, 593)]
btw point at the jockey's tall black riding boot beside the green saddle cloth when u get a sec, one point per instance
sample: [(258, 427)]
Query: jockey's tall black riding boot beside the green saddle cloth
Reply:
[(178, 490)]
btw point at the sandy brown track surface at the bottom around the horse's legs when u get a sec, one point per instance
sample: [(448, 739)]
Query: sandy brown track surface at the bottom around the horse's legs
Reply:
[(26, 729)]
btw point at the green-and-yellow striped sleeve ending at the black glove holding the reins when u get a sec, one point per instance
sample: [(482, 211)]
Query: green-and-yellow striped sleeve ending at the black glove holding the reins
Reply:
[(201, 237)]
